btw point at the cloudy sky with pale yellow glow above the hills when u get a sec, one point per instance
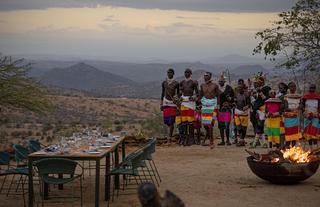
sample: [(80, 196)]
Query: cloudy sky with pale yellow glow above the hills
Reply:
[(135, 29)]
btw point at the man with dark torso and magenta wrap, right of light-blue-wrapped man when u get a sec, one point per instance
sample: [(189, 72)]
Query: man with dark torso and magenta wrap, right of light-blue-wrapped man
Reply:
[(226, 99)]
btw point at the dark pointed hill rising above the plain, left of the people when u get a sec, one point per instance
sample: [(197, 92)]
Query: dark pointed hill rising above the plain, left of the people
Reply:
[(84, 77)]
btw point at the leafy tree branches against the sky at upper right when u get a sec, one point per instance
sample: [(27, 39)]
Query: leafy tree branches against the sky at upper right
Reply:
[(295, 38)]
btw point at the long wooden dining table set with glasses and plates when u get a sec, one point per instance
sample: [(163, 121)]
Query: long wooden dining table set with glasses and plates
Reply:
[(104, 151)]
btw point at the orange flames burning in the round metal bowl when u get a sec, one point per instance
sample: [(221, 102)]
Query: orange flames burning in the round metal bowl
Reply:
[(296, 154)]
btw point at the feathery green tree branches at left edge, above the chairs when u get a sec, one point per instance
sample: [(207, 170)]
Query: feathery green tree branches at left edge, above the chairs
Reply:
[(19, 91)]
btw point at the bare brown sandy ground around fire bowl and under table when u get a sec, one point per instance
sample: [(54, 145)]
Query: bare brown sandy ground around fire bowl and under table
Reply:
[(204, 177)]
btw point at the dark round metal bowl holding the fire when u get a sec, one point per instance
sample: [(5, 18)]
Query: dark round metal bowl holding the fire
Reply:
[(282, 173)]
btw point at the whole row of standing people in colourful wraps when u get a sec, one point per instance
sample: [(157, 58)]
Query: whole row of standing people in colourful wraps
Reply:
[(275, 116)]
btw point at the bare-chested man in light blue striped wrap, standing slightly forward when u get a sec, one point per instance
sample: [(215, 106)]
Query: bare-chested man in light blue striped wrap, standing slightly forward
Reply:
[(209, 93)]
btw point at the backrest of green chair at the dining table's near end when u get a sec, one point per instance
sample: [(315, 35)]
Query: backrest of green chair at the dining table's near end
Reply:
[(56, 166)]
